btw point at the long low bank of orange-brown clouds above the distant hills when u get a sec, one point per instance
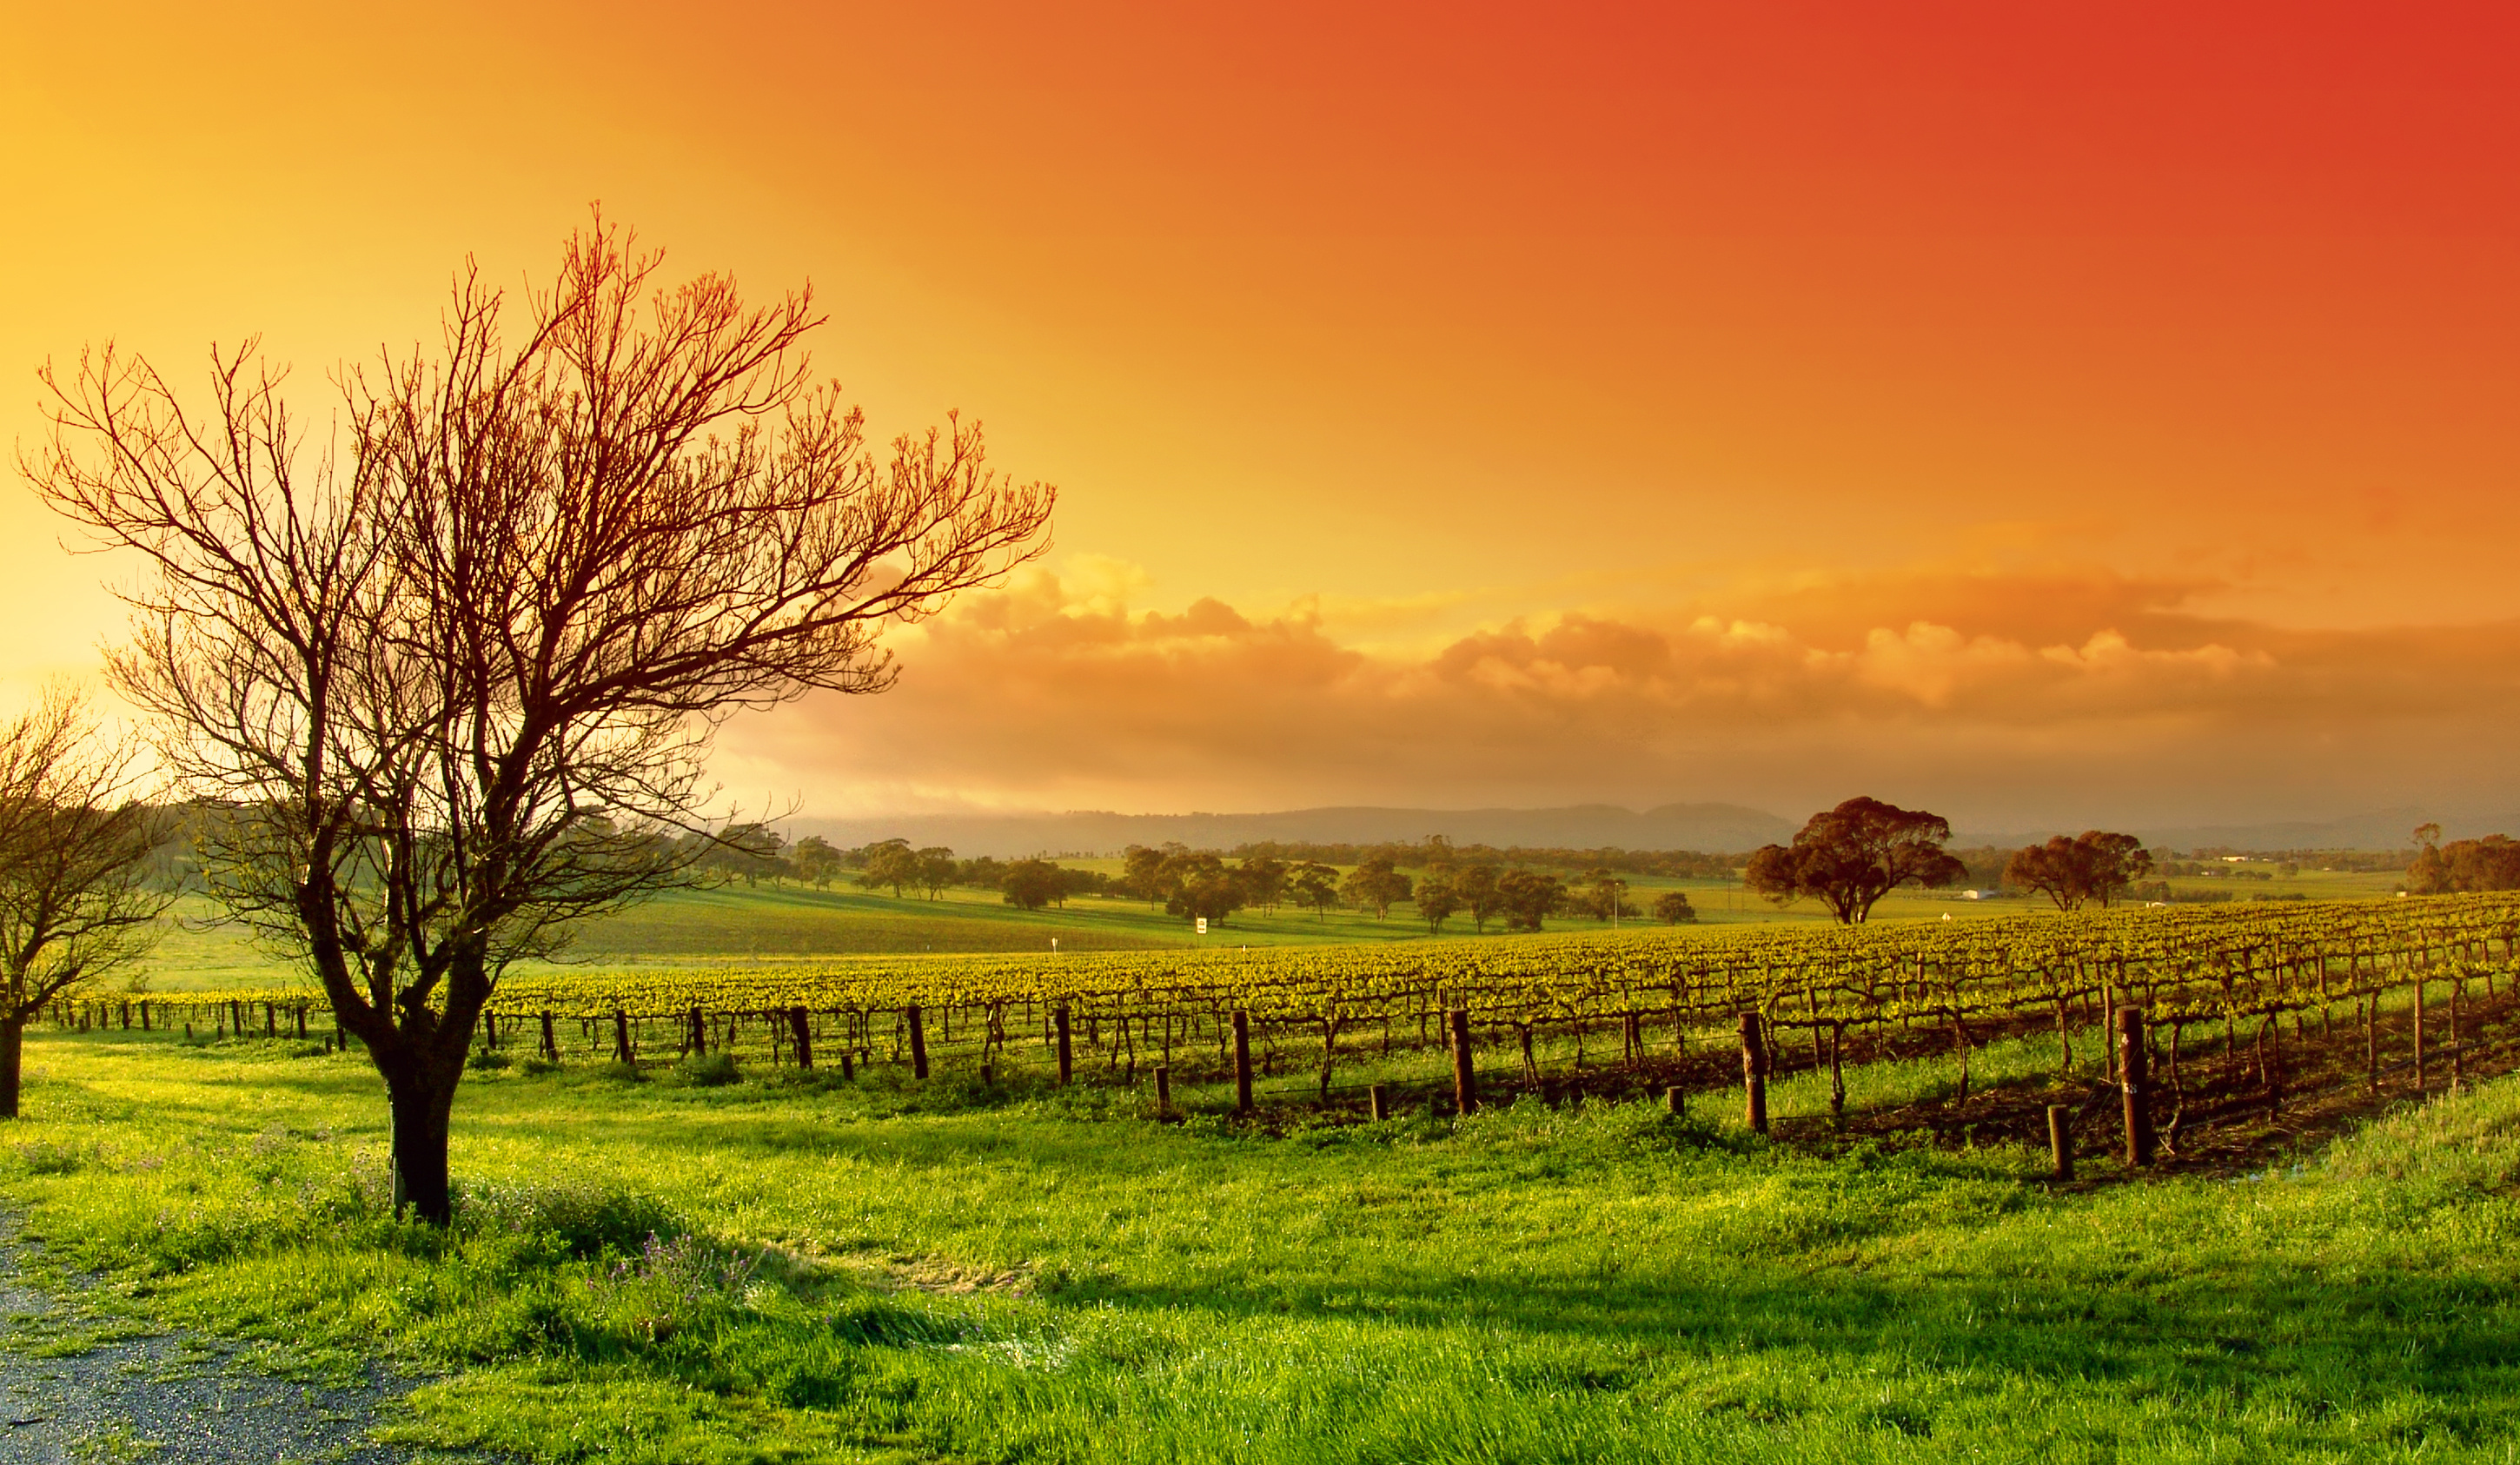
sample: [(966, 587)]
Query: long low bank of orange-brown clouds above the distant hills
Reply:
[(1997, 700)]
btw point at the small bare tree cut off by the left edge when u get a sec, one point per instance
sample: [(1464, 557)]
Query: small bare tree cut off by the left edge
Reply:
[(74, 843)]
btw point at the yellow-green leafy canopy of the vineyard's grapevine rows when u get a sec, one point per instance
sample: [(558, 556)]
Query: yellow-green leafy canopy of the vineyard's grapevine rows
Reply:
[(2184, 967)]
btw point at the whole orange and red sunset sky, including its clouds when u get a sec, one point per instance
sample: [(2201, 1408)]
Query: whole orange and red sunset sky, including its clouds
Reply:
[(2050, 415)]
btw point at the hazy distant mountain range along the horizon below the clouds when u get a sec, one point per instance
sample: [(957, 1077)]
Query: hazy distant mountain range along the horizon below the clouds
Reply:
[(1712, 828)]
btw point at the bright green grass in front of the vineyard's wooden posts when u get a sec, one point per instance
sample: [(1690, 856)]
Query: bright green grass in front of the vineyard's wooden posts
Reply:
[(772, 1272)]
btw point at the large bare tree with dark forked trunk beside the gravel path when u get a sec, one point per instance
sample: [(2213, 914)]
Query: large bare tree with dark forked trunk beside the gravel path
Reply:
[(462, 677)]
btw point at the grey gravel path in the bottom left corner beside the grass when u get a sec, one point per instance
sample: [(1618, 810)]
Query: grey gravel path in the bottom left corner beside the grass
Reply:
[(82, 1396)]
